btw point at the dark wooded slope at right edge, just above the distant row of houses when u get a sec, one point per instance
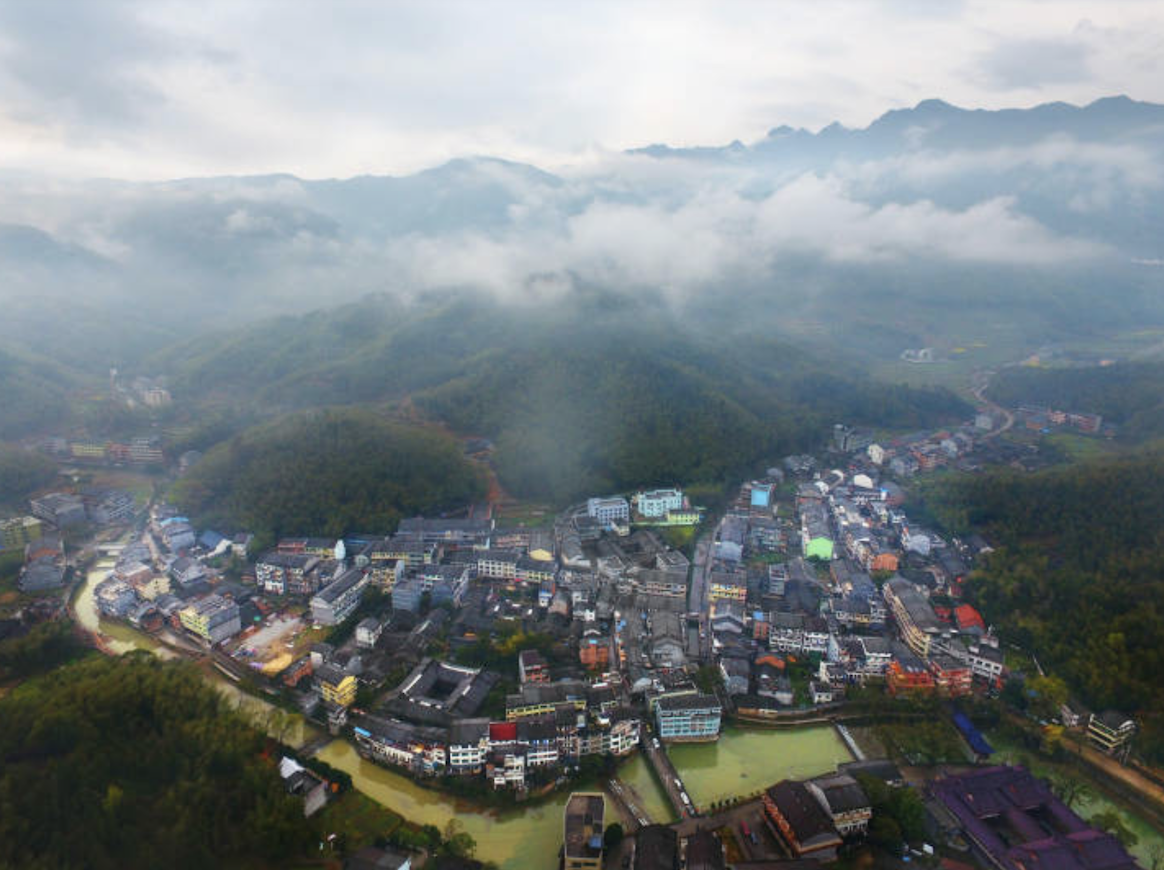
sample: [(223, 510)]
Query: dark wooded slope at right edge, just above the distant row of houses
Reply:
[(1130, 395)]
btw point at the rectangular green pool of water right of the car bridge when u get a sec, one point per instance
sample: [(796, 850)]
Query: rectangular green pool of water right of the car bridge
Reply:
[(747, 762)]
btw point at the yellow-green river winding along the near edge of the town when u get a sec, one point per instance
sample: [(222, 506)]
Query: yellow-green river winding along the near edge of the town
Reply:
[(528, 838)]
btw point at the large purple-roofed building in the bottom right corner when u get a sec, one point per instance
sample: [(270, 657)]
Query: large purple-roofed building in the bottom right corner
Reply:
[(1014, 822)]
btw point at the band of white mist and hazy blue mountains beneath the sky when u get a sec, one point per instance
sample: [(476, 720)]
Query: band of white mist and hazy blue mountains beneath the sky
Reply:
[(796, 222)]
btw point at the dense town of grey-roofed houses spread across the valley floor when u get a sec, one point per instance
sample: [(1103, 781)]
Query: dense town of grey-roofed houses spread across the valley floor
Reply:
[(510, 660)]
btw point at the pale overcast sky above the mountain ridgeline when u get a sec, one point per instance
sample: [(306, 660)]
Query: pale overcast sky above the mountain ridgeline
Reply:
[(158, 90)]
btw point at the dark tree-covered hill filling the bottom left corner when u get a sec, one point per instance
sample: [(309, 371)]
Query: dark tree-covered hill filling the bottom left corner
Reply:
[(137, 763)]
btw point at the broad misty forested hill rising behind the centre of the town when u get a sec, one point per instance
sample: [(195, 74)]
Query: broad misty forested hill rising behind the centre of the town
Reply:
[(584, 394)]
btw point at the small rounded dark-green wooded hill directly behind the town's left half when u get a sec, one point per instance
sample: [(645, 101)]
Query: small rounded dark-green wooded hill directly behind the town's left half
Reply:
[(328, 473)]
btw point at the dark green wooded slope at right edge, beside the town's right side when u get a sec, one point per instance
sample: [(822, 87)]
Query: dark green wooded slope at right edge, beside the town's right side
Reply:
[(1076, 576)]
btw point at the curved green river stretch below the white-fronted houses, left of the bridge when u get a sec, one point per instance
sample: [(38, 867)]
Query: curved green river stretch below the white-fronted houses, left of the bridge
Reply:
[(521, 839)]
